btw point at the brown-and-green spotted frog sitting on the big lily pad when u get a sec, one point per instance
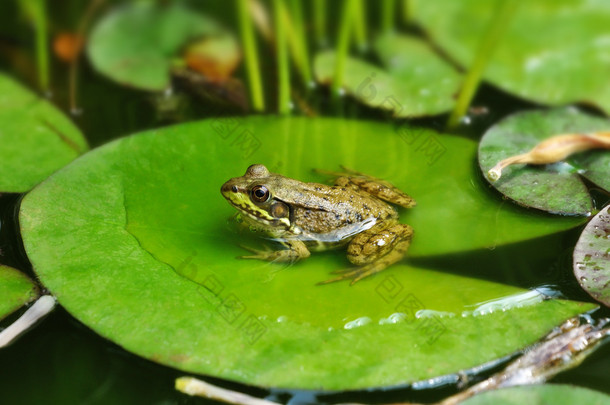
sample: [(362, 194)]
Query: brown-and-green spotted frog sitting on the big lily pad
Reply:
[(357, 212)]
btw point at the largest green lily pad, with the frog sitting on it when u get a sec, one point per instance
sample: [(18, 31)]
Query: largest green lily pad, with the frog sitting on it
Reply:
[(133, 240)]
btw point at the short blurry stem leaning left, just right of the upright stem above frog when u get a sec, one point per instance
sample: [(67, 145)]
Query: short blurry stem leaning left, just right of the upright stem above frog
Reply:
[(295, 34)]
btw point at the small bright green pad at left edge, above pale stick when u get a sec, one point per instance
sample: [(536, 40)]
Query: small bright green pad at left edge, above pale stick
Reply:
[(16, 290)]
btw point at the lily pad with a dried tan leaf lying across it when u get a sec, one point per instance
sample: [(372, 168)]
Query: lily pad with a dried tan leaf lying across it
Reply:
[(556, 188)]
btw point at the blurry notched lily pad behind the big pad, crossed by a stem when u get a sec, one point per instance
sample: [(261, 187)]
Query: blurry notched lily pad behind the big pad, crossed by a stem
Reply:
[(415, 81)]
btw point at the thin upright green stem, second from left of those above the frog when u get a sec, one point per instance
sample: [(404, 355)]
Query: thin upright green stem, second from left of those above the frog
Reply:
[(283, 67)]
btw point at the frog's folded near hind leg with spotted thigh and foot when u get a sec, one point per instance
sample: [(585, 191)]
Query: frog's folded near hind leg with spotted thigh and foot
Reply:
[(375, 250)]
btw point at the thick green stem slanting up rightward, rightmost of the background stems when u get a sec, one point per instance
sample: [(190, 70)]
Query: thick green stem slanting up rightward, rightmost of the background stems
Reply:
[(489, 41)]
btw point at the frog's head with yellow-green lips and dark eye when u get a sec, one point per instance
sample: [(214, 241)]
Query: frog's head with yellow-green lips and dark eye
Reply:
[(253, 195)]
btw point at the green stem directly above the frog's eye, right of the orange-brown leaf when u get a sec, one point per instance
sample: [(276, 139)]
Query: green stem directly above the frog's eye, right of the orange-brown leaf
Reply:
[(251, 56)]
